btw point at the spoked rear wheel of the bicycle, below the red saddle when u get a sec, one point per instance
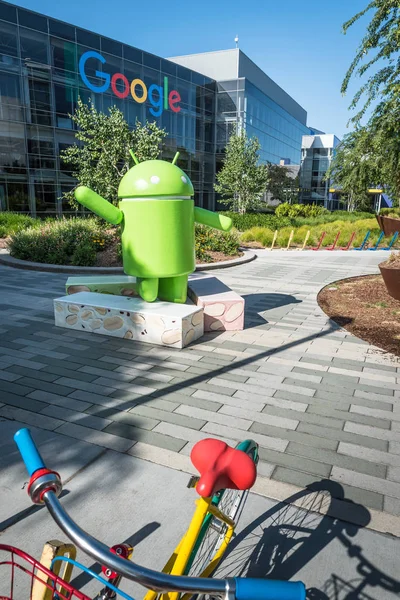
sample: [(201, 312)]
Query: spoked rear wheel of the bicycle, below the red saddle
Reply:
[(231, 503)]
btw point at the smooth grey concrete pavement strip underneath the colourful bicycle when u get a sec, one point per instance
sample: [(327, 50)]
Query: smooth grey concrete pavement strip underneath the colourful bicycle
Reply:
[(117, 498)]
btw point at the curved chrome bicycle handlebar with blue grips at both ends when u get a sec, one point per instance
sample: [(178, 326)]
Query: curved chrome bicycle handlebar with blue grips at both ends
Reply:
[(239, 589)]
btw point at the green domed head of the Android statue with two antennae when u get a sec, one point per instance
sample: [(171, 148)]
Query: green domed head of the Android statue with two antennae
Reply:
[(155, 178)]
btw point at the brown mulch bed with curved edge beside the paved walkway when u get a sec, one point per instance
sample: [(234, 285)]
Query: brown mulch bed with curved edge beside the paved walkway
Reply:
[(362, 306)]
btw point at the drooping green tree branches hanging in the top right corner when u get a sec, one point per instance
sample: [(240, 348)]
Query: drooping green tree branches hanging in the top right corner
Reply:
[(374, 147)]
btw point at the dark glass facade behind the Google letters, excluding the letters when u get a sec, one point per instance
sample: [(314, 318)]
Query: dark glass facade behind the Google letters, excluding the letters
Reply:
[(40, 82)]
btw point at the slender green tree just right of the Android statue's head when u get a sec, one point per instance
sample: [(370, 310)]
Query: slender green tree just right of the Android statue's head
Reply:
[(242, 181)]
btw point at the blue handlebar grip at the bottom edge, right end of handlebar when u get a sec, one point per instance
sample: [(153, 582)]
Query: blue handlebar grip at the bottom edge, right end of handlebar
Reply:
[(267, 589)]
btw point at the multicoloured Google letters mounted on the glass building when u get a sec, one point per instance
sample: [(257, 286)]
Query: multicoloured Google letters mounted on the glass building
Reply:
[(158, 96)]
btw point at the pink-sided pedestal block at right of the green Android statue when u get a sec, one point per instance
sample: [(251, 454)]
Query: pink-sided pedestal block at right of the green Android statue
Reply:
[(223, 308)]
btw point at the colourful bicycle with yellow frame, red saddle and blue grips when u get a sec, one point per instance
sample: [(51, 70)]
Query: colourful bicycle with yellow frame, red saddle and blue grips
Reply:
[(226, 475)]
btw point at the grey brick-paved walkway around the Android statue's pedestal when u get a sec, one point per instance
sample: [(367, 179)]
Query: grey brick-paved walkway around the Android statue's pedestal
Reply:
[(321, 403)]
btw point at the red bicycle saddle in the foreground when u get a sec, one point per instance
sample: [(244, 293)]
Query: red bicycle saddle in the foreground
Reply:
[(221, 466)]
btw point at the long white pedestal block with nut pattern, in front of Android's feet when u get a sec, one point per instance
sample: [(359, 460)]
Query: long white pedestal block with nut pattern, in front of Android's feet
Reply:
[(162, 323)]
